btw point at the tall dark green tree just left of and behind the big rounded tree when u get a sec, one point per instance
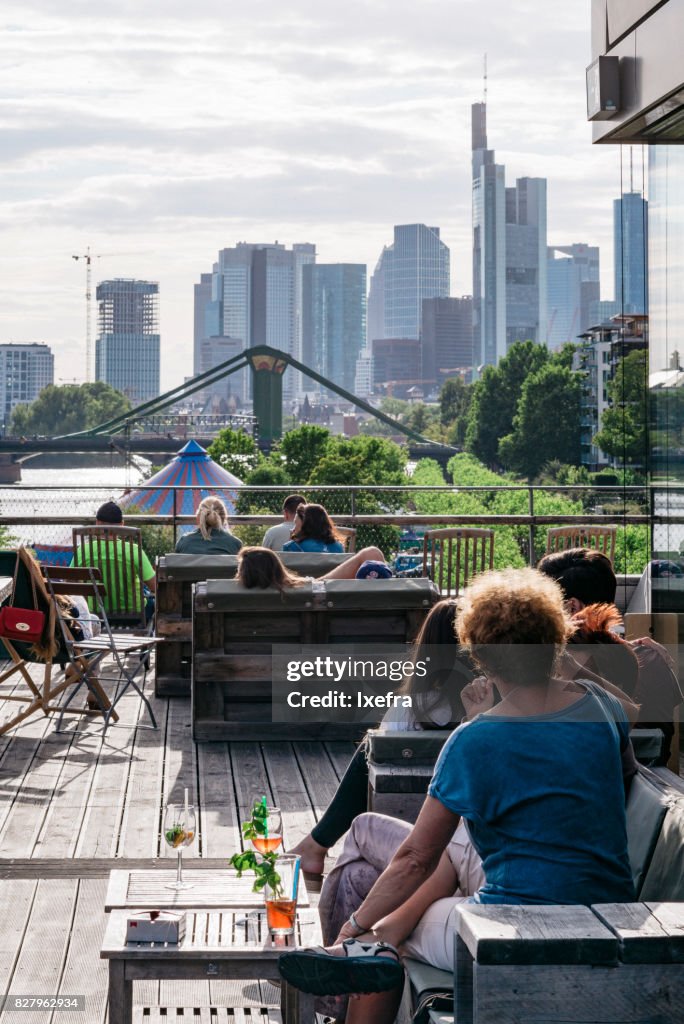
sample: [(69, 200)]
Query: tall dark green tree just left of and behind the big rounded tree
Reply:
[(496, 398)]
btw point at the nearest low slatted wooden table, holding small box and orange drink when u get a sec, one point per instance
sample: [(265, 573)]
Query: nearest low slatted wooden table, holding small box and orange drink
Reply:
[(219, 945)]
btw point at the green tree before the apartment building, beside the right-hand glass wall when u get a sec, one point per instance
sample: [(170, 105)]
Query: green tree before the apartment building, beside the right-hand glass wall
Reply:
[(624, 426)]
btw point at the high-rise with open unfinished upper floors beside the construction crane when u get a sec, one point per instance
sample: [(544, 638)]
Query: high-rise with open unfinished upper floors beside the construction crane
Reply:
[(127, 350)]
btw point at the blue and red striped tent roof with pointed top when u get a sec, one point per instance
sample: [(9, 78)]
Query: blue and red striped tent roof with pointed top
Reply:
[(191, 468)]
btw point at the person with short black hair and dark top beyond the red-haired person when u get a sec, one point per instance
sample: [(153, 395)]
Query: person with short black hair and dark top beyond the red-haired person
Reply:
[(587, 578)]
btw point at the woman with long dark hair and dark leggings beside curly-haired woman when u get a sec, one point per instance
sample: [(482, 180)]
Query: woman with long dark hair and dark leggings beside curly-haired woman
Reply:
[(437, 705)]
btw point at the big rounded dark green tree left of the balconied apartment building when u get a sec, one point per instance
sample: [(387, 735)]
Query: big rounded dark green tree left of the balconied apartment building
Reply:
[(547, 423)]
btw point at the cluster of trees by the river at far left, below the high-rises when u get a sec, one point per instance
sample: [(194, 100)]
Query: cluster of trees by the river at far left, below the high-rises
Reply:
[(68, 409)]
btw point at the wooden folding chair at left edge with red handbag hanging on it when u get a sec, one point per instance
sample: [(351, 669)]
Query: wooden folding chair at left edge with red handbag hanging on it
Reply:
[(59, 673)]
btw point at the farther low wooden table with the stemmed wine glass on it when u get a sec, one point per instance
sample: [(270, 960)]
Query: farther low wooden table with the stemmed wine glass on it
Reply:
[(211, 889)]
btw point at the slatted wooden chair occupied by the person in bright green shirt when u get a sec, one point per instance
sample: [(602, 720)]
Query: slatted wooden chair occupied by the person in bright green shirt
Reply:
[(117, 551)]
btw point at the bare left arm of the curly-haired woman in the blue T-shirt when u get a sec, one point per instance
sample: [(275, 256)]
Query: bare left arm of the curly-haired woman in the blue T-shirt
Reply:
[(411, 867)]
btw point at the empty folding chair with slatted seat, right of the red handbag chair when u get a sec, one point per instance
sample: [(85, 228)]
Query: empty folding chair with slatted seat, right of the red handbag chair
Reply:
[(130, 653)]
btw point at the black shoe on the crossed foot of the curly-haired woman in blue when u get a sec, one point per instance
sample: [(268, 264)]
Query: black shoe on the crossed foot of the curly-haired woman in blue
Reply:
[(363, 969)]
